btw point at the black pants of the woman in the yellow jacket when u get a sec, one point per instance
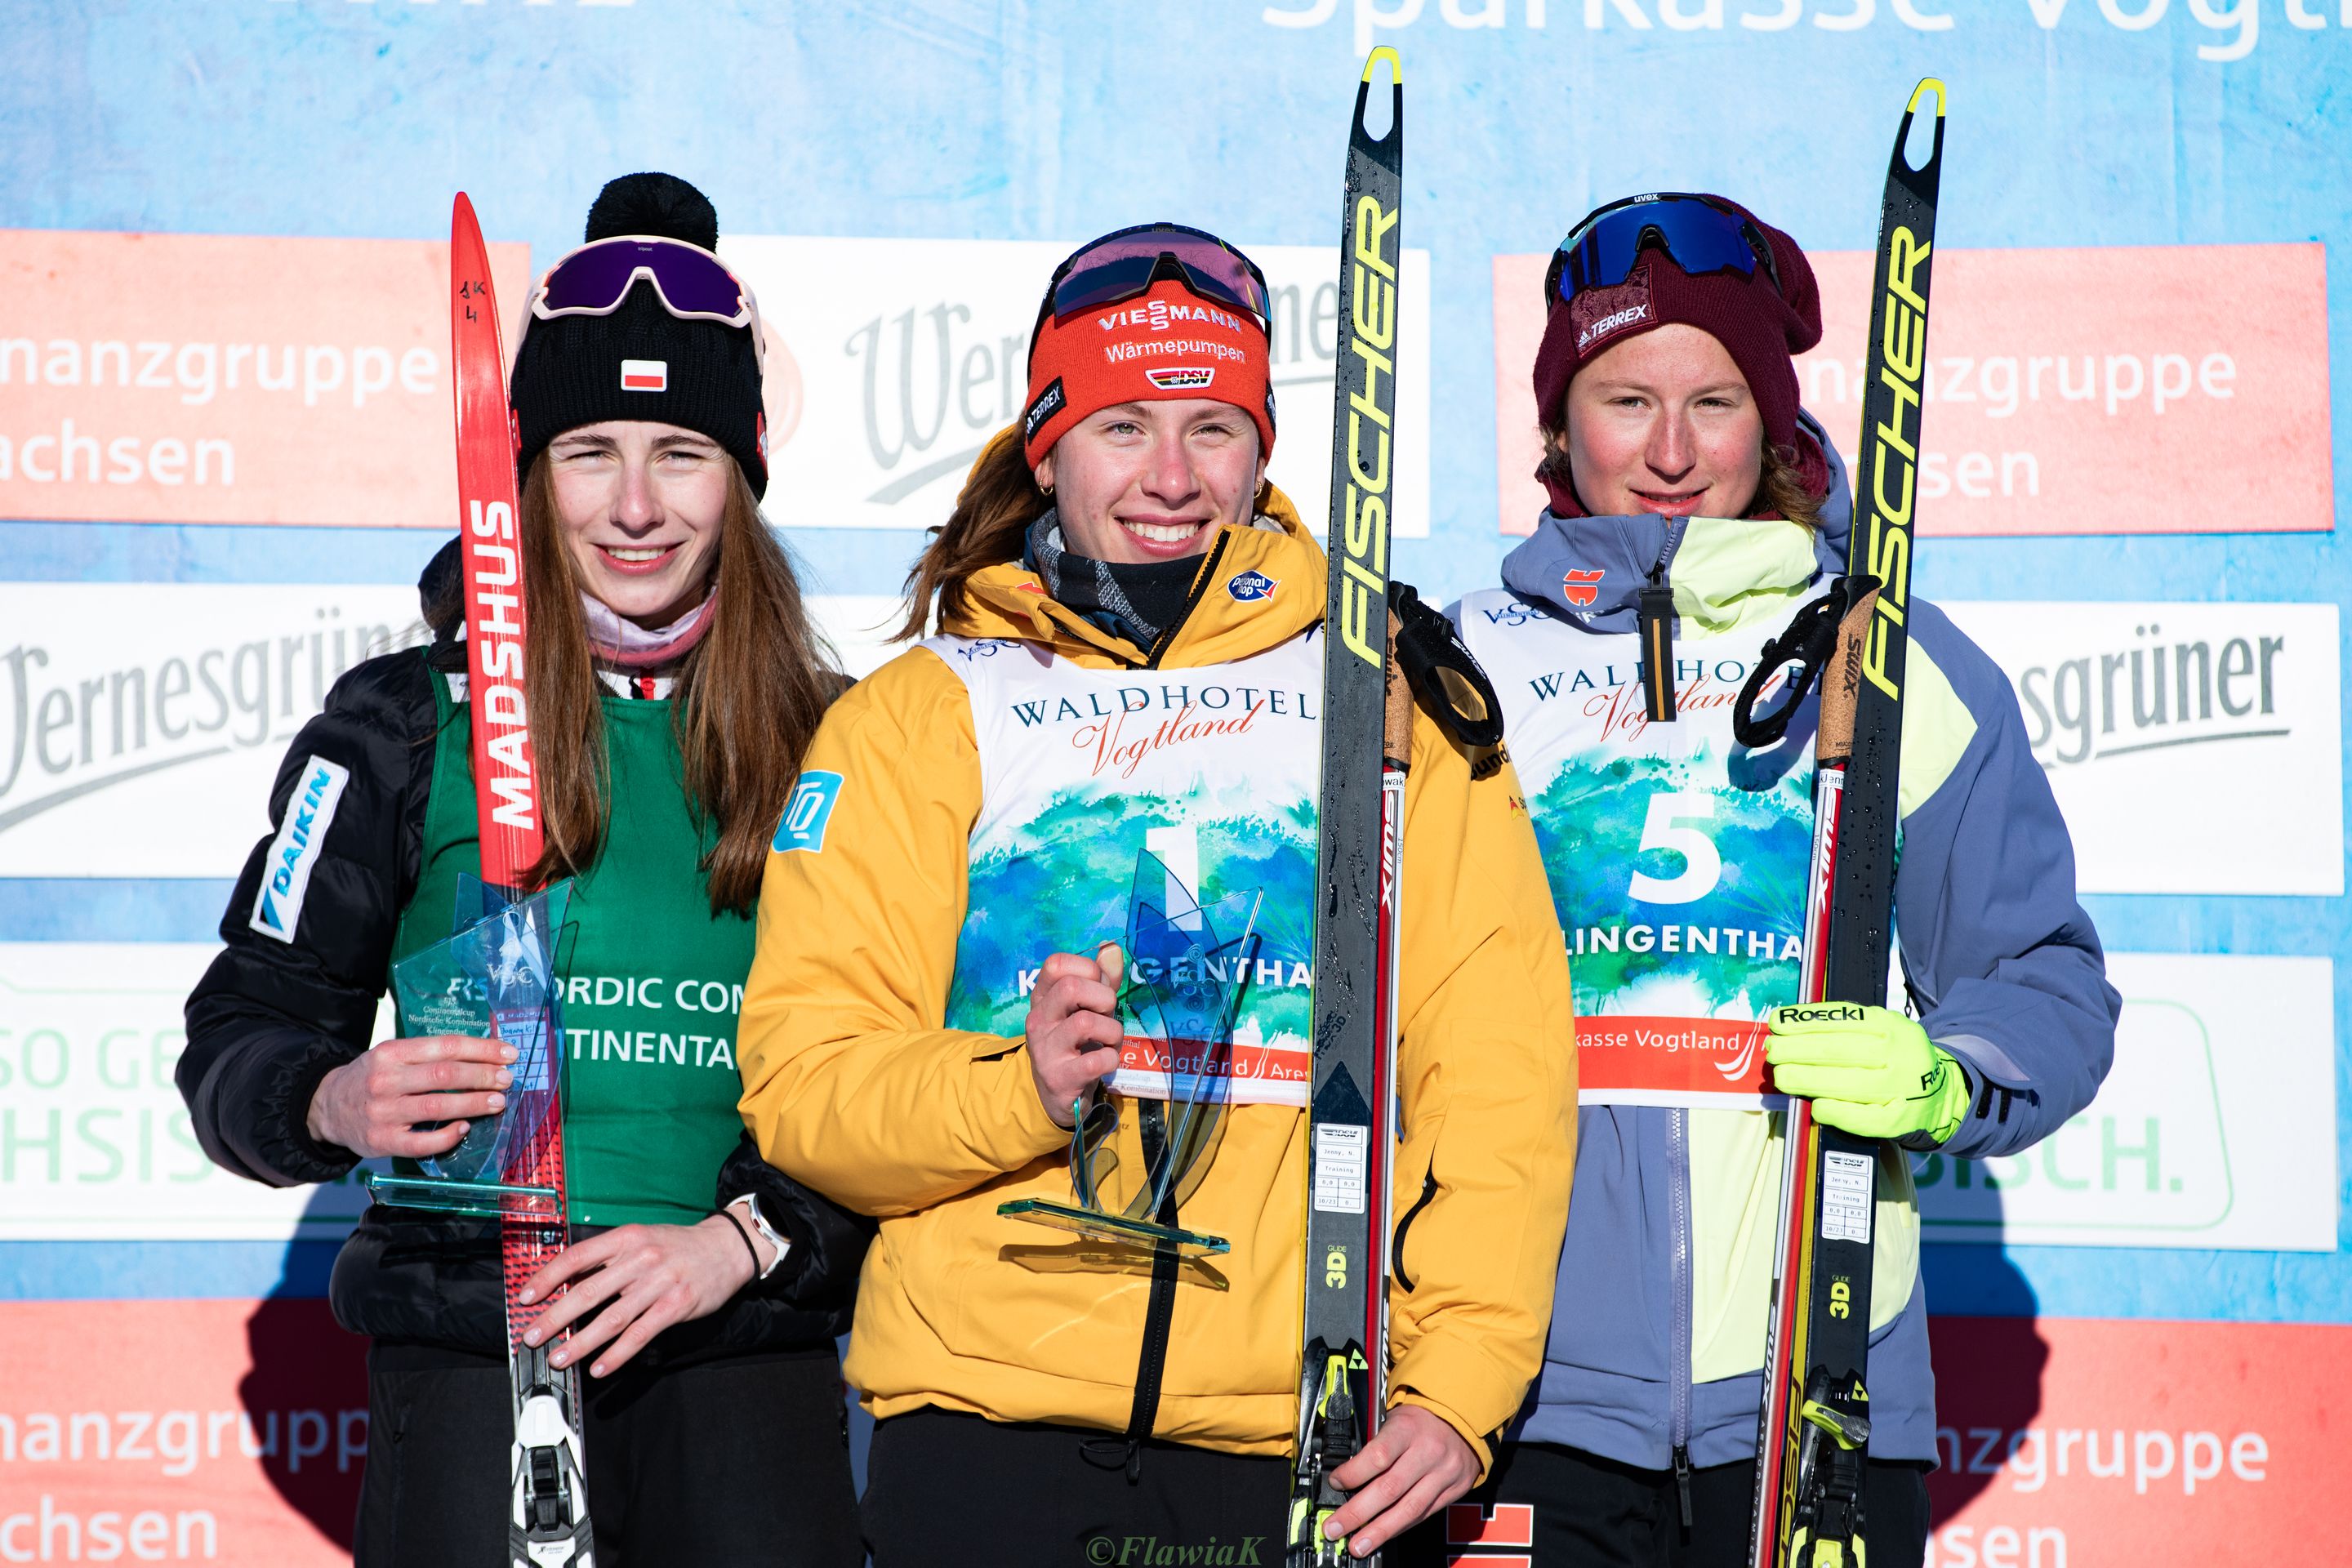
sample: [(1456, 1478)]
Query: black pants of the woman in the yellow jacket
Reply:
[(958, 1489)]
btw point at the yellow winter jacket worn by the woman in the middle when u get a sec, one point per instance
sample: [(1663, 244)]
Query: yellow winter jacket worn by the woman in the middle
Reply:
[(855, 1085)]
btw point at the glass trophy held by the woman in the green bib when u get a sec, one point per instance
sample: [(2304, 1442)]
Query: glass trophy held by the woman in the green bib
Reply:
[(497, 981)]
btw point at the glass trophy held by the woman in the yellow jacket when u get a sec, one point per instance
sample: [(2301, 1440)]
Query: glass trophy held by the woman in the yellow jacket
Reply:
[(1137, 1153)]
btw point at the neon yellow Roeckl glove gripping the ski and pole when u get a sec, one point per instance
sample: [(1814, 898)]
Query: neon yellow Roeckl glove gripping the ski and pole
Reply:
[(1866, 1071)]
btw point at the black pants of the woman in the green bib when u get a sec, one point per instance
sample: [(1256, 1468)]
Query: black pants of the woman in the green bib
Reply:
[(742, 1463)]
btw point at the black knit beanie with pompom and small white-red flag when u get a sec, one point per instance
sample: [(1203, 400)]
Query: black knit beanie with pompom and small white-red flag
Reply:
[(568, 373)]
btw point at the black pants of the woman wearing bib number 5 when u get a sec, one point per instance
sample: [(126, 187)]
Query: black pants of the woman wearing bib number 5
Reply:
[(1591, 1513)]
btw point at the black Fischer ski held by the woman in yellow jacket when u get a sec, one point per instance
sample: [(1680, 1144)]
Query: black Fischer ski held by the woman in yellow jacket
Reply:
[(1351, 1120)]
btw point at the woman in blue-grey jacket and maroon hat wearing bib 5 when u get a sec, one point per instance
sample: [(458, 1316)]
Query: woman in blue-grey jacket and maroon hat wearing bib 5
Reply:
[(1678, 457)]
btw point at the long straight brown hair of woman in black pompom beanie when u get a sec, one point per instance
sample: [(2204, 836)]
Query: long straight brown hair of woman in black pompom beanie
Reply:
[(747, 699)]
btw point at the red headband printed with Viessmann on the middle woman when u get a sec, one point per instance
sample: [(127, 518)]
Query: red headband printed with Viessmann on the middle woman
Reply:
[(1161, 347)]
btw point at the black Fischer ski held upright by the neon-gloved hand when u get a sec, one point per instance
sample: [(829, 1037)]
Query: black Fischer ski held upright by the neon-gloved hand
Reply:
[(1815, 1430)]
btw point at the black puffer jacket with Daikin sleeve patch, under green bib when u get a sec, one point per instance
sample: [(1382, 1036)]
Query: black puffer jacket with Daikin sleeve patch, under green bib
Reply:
[(272, 1019)]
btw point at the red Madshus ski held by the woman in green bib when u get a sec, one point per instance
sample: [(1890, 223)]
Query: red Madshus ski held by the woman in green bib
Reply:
[(549, 1522)]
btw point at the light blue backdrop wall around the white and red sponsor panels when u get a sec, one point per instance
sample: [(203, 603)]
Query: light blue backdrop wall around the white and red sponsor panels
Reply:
[(2073, 123)]
